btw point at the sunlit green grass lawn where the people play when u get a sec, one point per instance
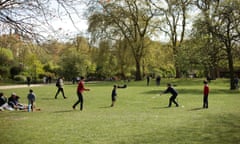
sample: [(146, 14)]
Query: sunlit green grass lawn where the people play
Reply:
[(139, 117)]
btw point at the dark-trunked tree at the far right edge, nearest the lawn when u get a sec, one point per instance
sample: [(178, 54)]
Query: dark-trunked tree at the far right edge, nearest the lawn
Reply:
[(224, 24)]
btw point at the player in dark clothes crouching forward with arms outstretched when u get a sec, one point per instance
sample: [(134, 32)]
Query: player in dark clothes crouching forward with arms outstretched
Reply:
[(174, 93)]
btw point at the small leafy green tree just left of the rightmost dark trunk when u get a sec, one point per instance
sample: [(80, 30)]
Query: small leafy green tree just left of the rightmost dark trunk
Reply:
[(208, 47)]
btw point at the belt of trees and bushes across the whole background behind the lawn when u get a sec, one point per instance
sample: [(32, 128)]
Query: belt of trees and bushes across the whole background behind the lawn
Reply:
[(201, 38)]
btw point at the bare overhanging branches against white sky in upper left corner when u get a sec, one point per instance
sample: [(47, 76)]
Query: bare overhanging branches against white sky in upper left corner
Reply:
[(28, 18)]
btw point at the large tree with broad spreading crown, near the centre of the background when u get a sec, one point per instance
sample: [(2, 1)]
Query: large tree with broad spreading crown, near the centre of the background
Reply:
[(129, 19)]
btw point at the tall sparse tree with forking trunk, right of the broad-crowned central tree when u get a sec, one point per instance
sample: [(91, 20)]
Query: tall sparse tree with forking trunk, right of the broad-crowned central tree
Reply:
[(172, 21)]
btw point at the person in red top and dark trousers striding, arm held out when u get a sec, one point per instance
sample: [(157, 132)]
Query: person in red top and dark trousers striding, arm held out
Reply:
[(80, 90)]
